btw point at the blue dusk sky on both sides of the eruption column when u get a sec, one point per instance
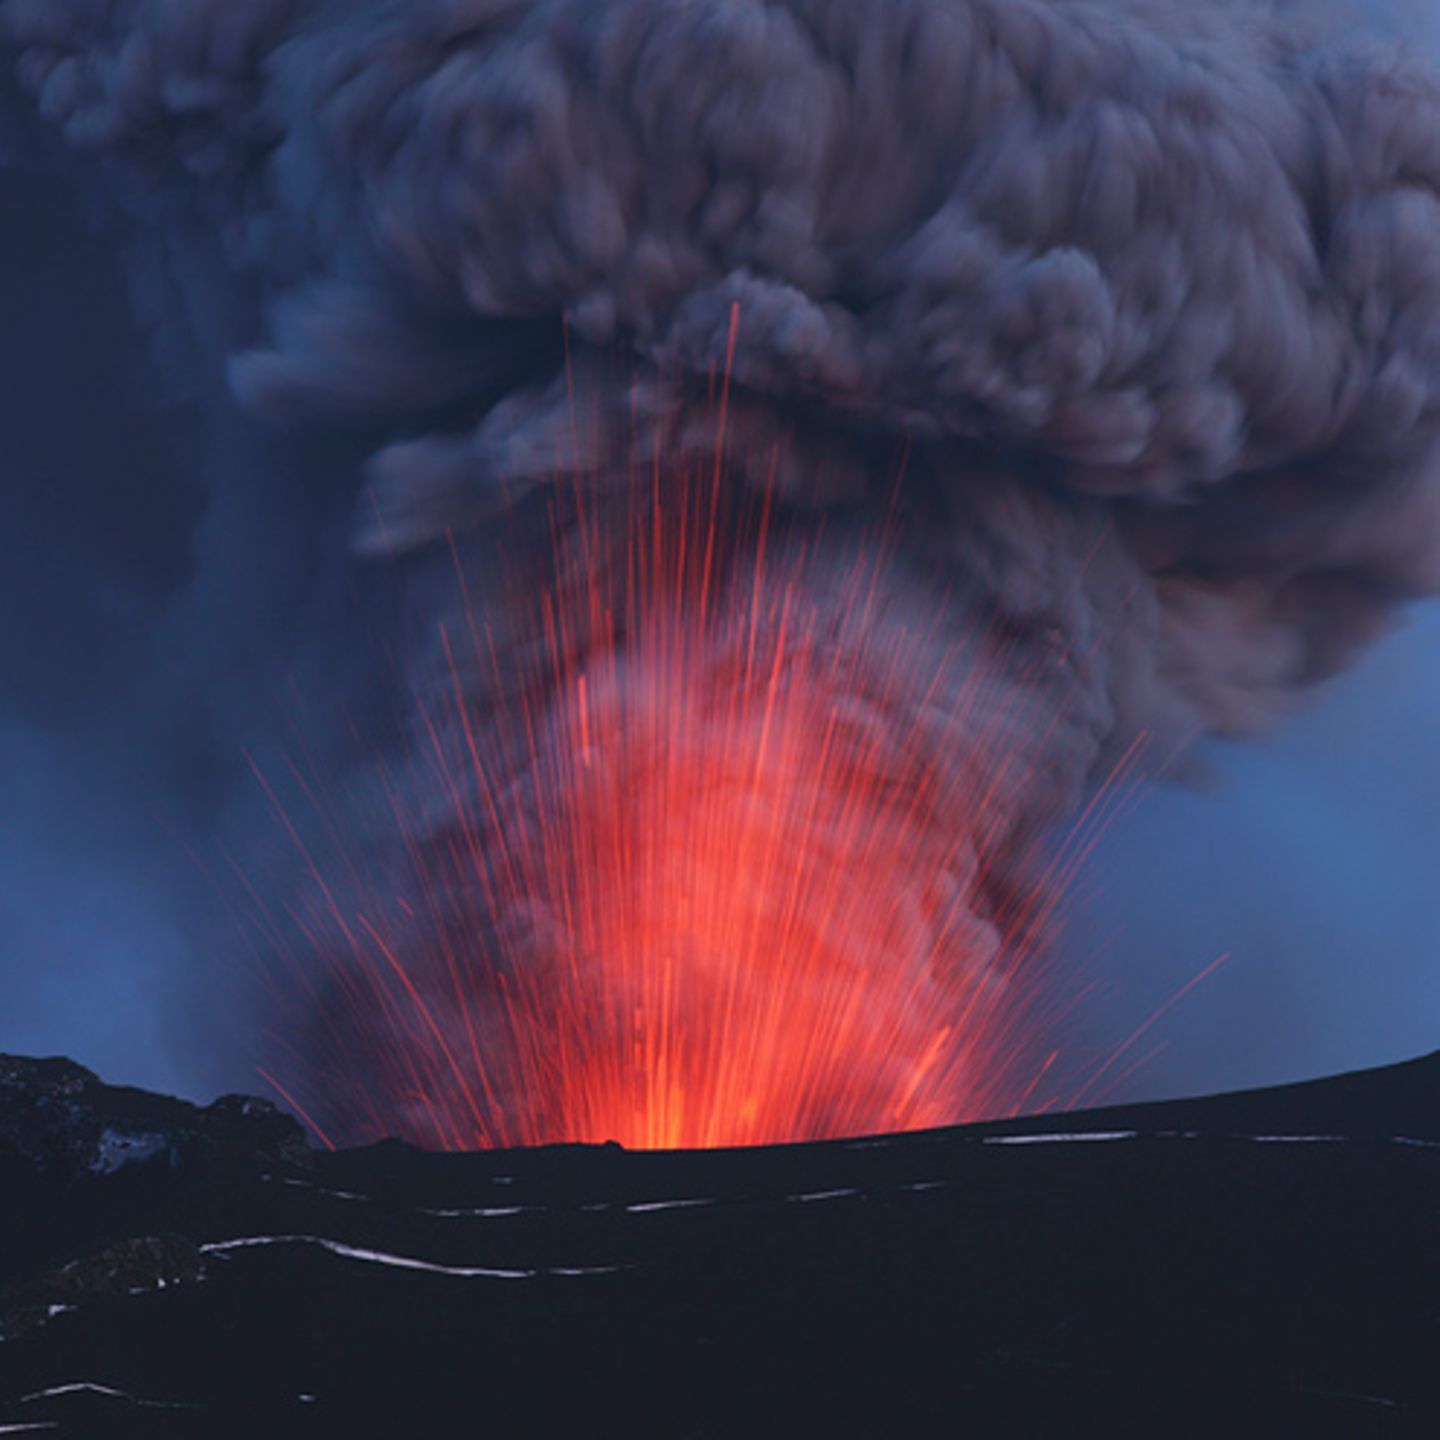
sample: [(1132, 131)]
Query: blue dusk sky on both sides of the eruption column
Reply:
[(174, 575)]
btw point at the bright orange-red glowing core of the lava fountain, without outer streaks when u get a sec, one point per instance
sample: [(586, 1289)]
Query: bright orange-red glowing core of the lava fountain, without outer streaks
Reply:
[(748, 886)]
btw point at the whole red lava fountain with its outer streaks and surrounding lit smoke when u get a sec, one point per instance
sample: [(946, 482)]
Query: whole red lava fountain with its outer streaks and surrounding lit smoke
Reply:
[(738, 894)]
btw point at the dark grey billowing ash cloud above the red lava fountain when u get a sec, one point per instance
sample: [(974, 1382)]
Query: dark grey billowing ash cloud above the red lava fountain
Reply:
[(1153, 290)]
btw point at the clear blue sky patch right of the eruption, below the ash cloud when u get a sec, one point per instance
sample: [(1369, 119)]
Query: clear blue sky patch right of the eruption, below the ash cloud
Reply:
[(1314, 859)]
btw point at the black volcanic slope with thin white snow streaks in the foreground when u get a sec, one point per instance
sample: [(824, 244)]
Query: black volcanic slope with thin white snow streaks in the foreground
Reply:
[(1252, 1265)]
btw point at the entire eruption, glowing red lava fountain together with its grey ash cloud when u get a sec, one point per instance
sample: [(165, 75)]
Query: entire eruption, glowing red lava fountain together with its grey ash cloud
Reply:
[(745, 474)]
